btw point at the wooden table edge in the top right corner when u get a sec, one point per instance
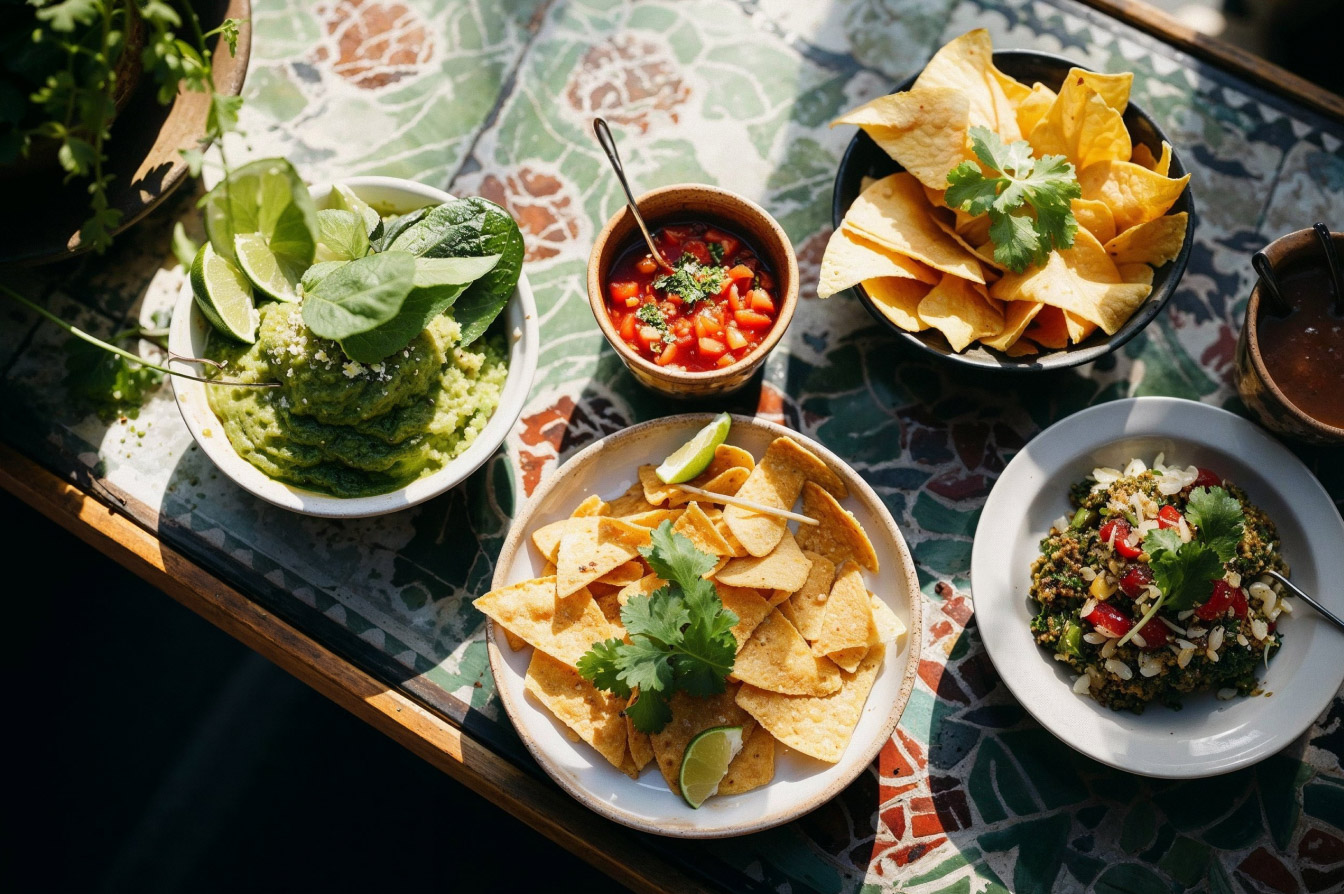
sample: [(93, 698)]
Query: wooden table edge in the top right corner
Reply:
[(1234, 60)]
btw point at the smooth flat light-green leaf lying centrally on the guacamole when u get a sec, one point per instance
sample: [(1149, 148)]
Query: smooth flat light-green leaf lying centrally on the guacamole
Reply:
[(361, 295)]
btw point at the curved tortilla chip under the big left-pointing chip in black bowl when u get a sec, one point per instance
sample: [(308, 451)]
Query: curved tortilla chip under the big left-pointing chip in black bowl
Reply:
[(894, 214)]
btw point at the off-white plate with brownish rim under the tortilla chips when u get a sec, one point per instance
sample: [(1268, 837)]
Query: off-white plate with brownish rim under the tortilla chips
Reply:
[(802, 784)]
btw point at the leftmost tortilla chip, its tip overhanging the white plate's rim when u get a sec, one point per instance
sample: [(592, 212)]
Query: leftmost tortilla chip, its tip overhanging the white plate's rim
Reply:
[(564, 628)]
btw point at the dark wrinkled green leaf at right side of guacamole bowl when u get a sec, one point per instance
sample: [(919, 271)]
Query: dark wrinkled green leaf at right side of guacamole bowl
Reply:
[(472, 228)]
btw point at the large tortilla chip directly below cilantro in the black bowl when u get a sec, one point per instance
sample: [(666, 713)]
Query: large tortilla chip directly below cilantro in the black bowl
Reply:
[(1081, 280)]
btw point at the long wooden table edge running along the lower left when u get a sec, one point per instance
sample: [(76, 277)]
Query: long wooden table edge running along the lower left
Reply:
[(408, 723)]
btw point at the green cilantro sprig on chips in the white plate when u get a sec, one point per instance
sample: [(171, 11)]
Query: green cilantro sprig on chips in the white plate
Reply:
[(681, 637)]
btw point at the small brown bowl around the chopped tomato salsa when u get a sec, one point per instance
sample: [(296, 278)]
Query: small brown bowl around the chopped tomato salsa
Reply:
[(694, 202)]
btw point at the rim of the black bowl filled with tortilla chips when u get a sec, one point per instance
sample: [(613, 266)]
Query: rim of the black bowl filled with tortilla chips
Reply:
[(1053, 360)]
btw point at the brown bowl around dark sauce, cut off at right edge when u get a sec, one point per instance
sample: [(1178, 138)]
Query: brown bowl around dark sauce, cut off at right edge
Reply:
[(1259, 392)]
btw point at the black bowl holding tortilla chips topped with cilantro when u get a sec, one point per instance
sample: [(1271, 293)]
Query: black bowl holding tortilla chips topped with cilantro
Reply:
[(865, 158)]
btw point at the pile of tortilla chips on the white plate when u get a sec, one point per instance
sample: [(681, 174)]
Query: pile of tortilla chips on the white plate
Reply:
[(811, 635)]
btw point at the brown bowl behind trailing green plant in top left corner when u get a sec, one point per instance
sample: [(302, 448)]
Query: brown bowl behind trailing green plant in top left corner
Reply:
[(144, 157)]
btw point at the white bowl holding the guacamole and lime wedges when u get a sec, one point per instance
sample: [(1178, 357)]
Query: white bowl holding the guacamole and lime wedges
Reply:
[(190, 330)]
